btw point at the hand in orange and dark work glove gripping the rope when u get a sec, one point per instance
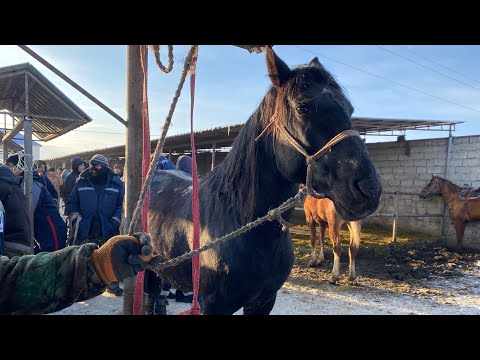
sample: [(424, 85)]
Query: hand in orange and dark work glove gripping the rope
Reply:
[(123, 256)]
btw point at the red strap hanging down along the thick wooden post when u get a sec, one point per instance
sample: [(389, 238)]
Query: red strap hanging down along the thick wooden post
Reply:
[(138, 297)]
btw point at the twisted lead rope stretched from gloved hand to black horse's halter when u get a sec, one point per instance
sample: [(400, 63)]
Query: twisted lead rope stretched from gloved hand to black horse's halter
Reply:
[(274, 214)]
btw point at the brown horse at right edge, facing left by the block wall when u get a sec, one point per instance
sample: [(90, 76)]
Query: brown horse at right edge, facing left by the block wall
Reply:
[(461, 209)]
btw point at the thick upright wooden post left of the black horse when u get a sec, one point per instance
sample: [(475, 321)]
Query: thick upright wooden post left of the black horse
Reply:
[(133, 153)]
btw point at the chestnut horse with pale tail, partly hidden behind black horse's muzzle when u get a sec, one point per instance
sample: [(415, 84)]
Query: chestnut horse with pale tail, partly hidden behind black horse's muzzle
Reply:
[(323, 212)]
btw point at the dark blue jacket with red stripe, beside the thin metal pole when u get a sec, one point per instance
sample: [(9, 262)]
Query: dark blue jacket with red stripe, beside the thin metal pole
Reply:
[(50, 231)]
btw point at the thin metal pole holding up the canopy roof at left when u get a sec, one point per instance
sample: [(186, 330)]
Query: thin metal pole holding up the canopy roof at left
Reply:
[(28, 174)]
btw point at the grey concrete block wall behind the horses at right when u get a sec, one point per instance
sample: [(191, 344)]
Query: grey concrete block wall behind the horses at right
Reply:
[(409, 166)]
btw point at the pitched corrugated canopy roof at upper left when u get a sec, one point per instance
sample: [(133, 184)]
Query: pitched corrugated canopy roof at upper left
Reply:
[(53, 113)]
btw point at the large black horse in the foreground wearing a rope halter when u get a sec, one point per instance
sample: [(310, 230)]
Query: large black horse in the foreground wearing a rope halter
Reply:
[(308, 106)]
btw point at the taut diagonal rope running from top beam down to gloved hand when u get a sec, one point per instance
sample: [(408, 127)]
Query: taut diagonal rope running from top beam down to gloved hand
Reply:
[(161, 141)]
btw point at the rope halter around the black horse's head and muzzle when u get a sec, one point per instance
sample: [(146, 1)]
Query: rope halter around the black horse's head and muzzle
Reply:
[(310, 158)]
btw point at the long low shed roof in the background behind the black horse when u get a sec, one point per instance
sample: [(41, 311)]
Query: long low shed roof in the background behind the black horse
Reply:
[(225, 135)]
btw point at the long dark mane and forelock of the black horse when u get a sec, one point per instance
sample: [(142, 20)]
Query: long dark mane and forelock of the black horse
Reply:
[(236, 177)]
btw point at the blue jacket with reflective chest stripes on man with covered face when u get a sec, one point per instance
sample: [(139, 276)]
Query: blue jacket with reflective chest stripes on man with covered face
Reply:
[(107, 204)]
